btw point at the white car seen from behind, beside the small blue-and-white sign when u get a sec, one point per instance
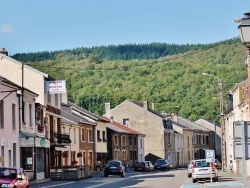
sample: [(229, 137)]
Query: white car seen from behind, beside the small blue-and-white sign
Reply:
[(203, 170)]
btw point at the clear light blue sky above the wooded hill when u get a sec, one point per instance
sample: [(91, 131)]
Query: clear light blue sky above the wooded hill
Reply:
[(51, 25)]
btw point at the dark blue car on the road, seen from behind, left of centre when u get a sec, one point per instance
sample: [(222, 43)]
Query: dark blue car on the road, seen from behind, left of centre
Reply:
[(114, 167)]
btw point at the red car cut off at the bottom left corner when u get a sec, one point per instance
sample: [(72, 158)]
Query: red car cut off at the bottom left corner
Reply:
[(13, 177)]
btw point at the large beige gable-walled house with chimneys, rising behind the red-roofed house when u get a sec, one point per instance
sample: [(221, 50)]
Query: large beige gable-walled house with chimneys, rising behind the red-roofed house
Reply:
[(143, 119)]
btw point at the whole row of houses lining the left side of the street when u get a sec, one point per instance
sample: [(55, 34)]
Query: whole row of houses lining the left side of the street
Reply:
[(41, 131)]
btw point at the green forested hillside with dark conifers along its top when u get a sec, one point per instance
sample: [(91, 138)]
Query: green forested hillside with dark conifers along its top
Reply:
[(173, 80)]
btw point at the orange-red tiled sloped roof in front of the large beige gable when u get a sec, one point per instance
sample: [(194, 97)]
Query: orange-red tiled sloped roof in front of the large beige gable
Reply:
[(119, 127)]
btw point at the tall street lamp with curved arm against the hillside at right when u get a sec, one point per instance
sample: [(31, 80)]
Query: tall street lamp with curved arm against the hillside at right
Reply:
[(222, 123)]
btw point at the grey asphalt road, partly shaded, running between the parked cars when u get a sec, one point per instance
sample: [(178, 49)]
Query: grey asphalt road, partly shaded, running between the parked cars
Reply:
[(173, 178)]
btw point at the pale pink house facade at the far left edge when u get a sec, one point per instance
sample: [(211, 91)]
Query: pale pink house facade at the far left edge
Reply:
[(9, 123)]
